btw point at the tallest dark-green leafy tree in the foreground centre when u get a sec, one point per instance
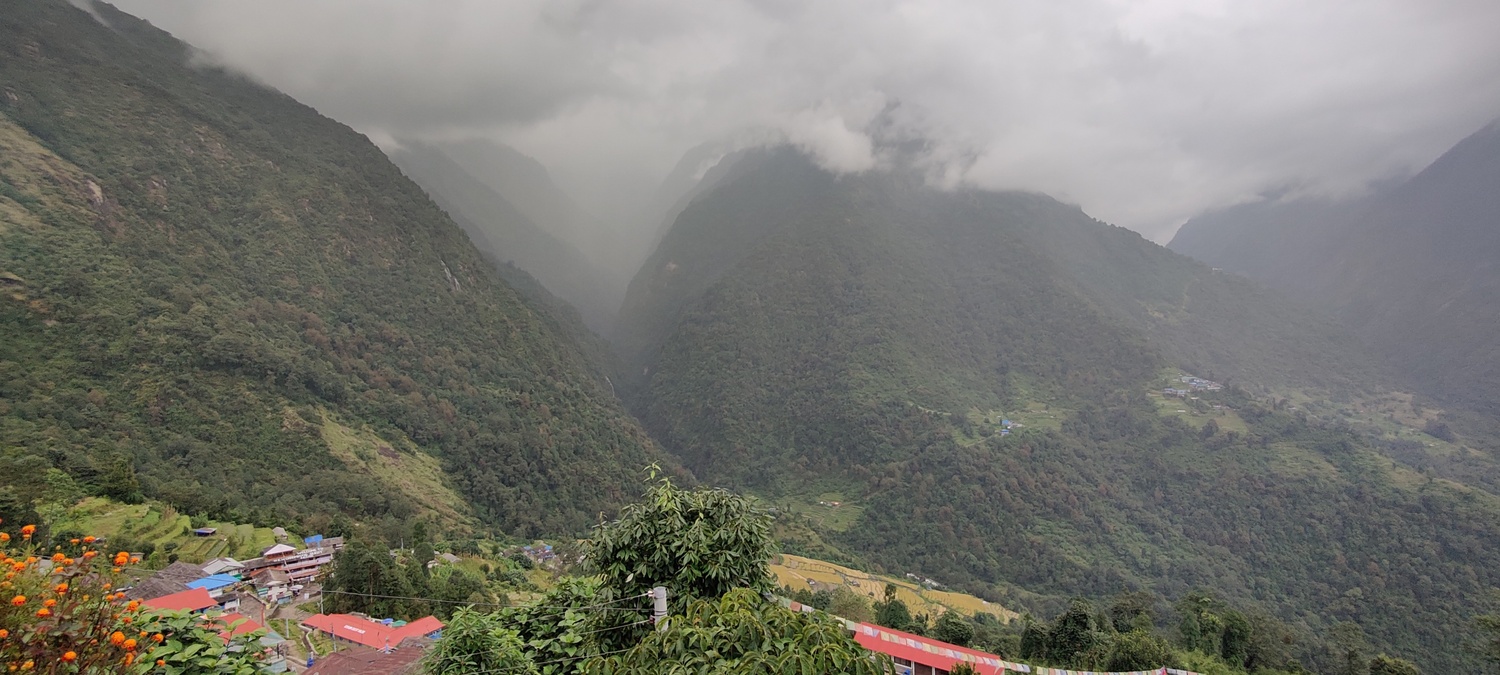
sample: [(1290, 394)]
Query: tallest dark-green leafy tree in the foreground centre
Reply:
[(698, 544)]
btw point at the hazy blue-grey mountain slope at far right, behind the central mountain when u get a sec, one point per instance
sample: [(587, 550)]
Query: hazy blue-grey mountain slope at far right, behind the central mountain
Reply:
[(1411, 269)]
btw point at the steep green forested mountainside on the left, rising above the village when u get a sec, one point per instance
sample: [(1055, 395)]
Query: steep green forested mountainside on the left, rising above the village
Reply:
[(211, 292)]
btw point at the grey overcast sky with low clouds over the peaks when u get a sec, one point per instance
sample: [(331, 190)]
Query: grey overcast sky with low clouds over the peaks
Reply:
[(1145, 113)]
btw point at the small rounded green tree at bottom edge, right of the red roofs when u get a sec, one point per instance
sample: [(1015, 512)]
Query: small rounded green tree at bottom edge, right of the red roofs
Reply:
[(478, 643)]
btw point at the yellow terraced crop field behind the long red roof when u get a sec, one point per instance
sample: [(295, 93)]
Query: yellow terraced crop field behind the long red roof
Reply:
[(797, 572)]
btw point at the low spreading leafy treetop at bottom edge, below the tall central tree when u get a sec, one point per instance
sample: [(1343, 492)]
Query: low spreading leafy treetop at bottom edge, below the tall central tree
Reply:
[(742, 634)]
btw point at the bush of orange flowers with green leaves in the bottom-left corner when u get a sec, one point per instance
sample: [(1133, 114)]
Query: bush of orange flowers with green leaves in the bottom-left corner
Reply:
[(62, 614)]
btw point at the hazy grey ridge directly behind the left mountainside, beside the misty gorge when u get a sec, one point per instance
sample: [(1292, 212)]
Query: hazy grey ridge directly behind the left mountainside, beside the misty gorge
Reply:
[(502, 230)]
